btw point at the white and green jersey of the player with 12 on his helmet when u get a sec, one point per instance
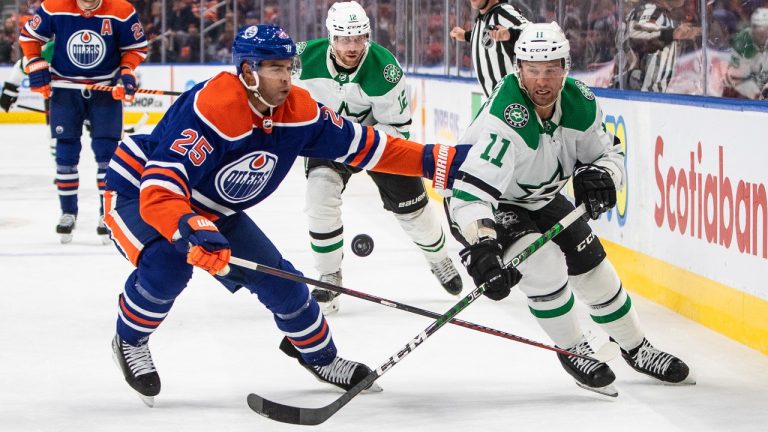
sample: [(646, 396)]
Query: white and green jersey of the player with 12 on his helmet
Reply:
[(374, 94)]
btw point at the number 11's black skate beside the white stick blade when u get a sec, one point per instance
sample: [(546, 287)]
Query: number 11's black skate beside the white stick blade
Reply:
[(589, 375)]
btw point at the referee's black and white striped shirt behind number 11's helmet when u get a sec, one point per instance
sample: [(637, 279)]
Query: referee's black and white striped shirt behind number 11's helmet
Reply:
[(494, 60)]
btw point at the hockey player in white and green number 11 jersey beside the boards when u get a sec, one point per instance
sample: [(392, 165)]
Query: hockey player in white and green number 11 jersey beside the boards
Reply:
[(538, 129)]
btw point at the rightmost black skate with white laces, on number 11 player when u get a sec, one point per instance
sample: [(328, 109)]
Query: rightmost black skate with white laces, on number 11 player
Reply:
[(665, 367)]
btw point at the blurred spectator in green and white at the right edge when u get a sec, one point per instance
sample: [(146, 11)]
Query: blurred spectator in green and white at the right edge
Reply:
[(748, 68)]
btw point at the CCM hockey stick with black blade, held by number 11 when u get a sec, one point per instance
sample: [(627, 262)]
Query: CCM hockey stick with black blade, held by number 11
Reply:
[(314, 416)]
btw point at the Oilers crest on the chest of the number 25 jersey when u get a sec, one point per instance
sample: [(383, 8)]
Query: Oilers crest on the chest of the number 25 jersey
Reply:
[(244, 178)]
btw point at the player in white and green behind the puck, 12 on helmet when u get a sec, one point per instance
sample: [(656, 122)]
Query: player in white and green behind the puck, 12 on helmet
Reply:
[(363, 82)]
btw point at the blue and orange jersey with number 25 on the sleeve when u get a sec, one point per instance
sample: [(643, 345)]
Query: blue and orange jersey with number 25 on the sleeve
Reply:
[(213, 153)]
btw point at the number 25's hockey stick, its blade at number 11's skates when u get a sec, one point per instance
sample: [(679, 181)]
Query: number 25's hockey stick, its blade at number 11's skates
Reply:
[(606, 353)]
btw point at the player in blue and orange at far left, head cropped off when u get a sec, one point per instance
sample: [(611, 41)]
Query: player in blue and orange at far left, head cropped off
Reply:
[(98, 42)]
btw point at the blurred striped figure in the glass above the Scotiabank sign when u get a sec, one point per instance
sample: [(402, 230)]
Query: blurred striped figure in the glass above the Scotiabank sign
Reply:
[(649, 49)]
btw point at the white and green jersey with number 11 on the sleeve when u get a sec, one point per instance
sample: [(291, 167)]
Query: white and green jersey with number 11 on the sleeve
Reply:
[(519, 159)]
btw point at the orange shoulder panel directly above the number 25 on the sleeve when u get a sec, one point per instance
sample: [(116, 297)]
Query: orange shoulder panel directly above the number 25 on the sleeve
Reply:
[(222, 104)]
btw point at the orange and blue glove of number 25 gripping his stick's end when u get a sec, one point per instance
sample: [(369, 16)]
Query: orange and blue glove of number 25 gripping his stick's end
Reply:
[(208, 249)]
